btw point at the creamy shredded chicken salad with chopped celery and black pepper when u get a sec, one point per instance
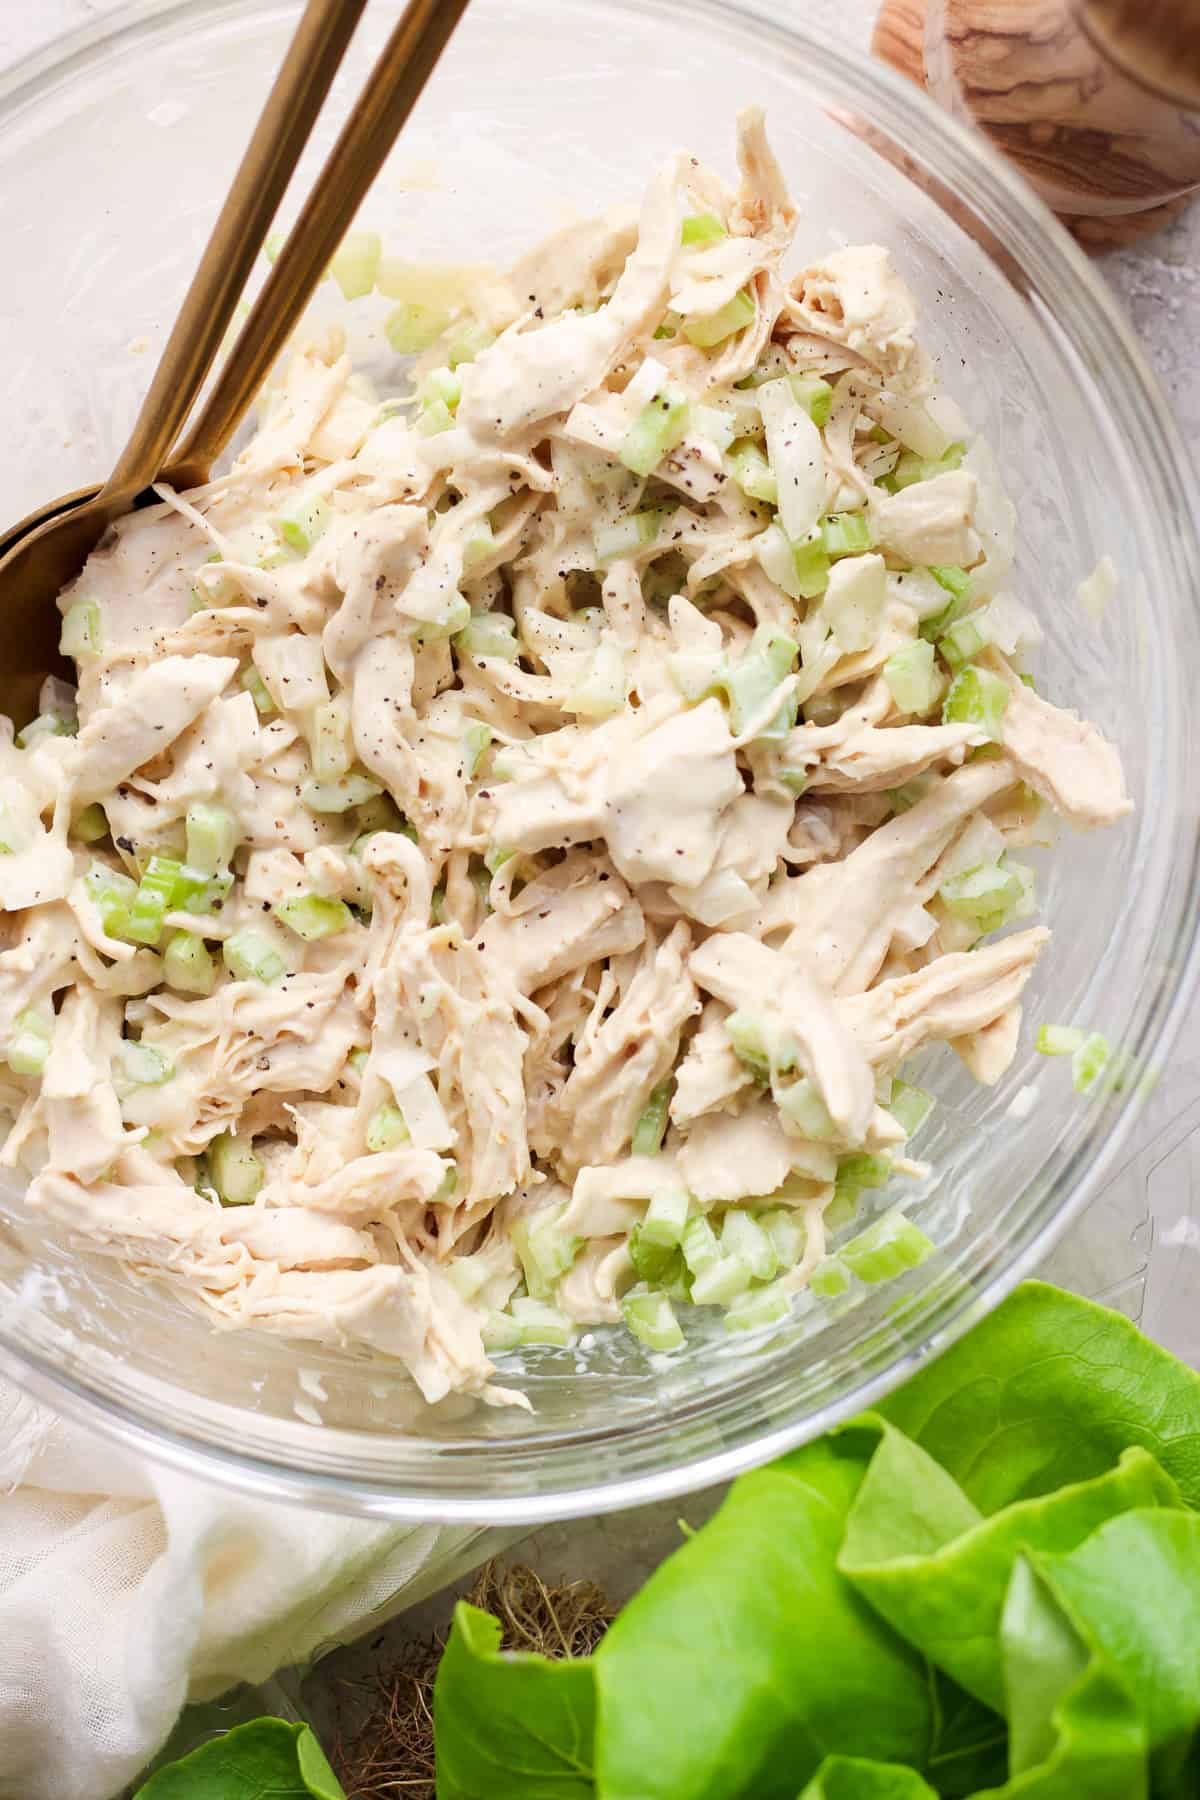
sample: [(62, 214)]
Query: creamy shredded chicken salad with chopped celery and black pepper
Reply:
[(539, 805)]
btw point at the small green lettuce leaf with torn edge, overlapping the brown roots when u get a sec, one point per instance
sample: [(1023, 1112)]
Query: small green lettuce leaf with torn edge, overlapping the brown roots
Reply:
[(510, 1725)]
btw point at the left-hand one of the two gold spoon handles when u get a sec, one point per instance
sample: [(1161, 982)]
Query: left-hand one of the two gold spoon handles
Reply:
[(274, 150)]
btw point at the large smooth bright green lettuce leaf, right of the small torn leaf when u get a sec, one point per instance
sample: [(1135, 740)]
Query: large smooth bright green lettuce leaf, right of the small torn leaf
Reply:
[(748, 1659)]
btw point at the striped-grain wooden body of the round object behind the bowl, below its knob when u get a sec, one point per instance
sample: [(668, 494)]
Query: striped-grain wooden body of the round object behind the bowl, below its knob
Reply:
[(1113, 157)]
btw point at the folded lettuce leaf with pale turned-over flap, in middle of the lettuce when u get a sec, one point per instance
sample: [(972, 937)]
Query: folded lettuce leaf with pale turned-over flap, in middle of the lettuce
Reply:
[(949, 1601)]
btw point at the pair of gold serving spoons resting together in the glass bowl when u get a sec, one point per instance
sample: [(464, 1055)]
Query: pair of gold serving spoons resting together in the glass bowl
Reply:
[(40, 555)]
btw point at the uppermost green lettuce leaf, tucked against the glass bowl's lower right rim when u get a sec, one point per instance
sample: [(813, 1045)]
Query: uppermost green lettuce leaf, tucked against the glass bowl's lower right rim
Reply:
[(1046, 1392)]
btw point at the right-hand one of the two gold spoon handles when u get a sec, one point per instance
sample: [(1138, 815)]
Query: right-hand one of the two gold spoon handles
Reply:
[(361, 152)]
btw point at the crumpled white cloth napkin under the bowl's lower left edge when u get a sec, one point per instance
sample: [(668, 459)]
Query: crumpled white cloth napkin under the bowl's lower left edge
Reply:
[(129, 1590)]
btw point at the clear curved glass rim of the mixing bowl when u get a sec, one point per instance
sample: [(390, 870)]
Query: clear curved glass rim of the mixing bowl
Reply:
[(1037, 240)]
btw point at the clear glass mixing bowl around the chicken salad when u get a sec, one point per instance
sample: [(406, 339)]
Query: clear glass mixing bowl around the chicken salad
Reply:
[(116, 148)]
